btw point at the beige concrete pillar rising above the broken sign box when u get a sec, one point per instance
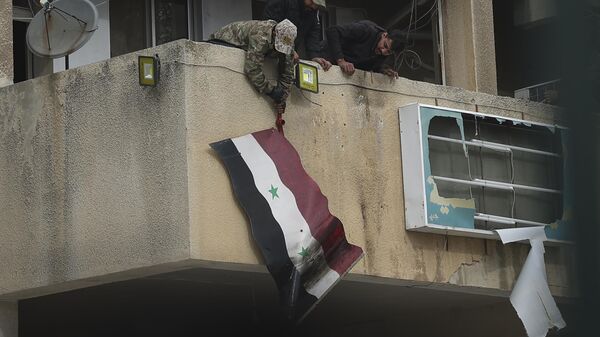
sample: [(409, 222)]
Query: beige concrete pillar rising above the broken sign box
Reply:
[(468, 45)]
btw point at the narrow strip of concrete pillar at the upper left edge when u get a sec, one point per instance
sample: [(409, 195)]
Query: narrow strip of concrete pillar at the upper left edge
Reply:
[(6, 57)]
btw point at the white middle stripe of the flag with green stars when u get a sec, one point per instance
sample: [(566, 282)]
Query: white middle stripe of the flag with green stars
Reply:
[(285, 211)]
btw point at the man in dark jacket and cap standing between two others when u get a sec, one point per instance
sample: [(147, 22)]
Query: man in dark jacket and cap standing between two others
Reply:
[(304, 14)]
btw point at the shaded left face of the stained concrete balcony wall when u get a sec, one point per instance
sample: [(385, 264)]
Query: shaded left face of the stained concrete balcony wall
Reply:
[(92, 174)]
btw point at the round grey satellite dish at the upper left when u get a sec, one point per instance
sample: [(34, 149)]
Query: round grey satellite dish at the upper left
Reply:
[(61, 27)]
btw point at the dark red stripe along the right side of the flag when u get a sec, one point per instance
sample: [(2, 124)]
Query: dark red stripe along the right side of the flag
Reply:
[(313, 205)]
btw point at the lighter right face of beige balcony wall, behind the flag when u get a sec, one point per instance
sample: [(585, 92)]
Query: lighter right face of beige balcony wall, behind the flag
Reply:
[(350, 144)]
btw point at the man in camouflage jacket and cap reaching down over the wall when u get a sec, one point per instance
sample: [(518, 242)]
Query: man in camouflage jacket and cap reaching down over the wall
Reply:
[(261, 39)]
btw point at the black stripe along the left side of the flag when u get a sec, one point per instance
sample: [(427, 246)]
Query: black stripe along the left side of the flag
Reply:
[(267, 232)]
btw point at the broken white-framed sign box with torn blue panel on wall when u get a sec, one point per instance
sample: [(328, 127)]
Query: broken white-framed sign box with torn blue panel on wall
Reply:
[(468, 173)]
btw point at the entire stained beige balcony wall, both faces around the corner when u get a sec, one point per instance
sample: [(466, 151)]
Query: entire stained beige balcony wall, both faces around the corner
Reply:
[(102, 180)]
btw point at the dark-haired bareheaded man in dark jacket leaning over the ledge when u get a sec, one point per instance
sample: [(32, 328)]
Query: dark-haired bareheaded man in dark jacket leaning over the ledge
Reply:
[(361, 45)]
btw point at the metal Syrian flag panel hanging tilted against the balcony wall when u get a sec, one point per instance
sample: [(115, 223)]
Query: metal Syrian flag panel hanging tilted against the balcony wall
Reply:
[(304, 246)]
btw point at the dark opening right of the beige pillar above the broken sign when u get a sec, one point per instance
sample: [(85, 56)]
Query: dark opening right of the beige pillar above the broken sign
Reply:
[(527, 50)]
